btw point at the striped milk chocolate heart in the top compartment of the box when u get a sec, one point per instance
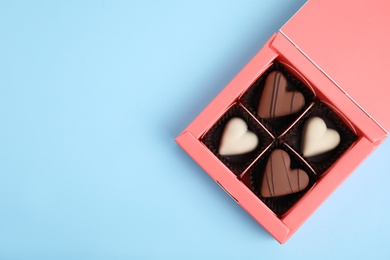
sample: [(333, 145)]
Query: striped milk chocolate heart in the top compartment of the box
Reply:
[(276, 101)]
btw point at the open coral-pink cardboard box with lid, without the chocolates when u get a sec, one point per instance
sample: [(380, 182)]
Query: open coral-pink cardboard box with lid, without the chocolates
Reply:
[(339, 51)]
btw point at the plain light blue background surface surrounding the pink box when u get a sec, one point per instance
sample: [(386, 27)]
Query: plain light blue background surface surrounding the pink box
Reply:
[(92, 95)]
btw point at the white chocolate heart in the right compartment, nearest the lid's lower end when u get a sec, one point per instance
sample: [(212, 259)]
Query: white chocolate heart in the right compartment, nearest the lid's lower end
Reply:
[(317, 138)]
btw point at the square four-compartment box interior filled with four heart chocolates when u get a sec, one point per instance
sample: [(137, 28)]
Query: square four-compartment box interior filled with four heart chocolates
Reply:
[(279, 168)]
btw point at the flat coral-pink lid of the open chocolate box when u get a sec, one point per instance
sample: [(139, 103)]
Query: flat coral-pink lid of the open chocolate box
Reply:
[(349, 42)]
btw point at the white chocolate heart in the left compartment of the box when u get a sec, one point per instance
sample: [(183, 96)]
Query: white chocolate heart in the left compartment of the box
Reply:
[(236, 138)]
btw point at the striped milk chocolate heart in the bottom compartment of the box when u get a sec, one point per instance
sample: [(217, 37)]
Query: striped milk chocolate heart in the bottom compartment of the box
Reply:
[(279, 179)]
